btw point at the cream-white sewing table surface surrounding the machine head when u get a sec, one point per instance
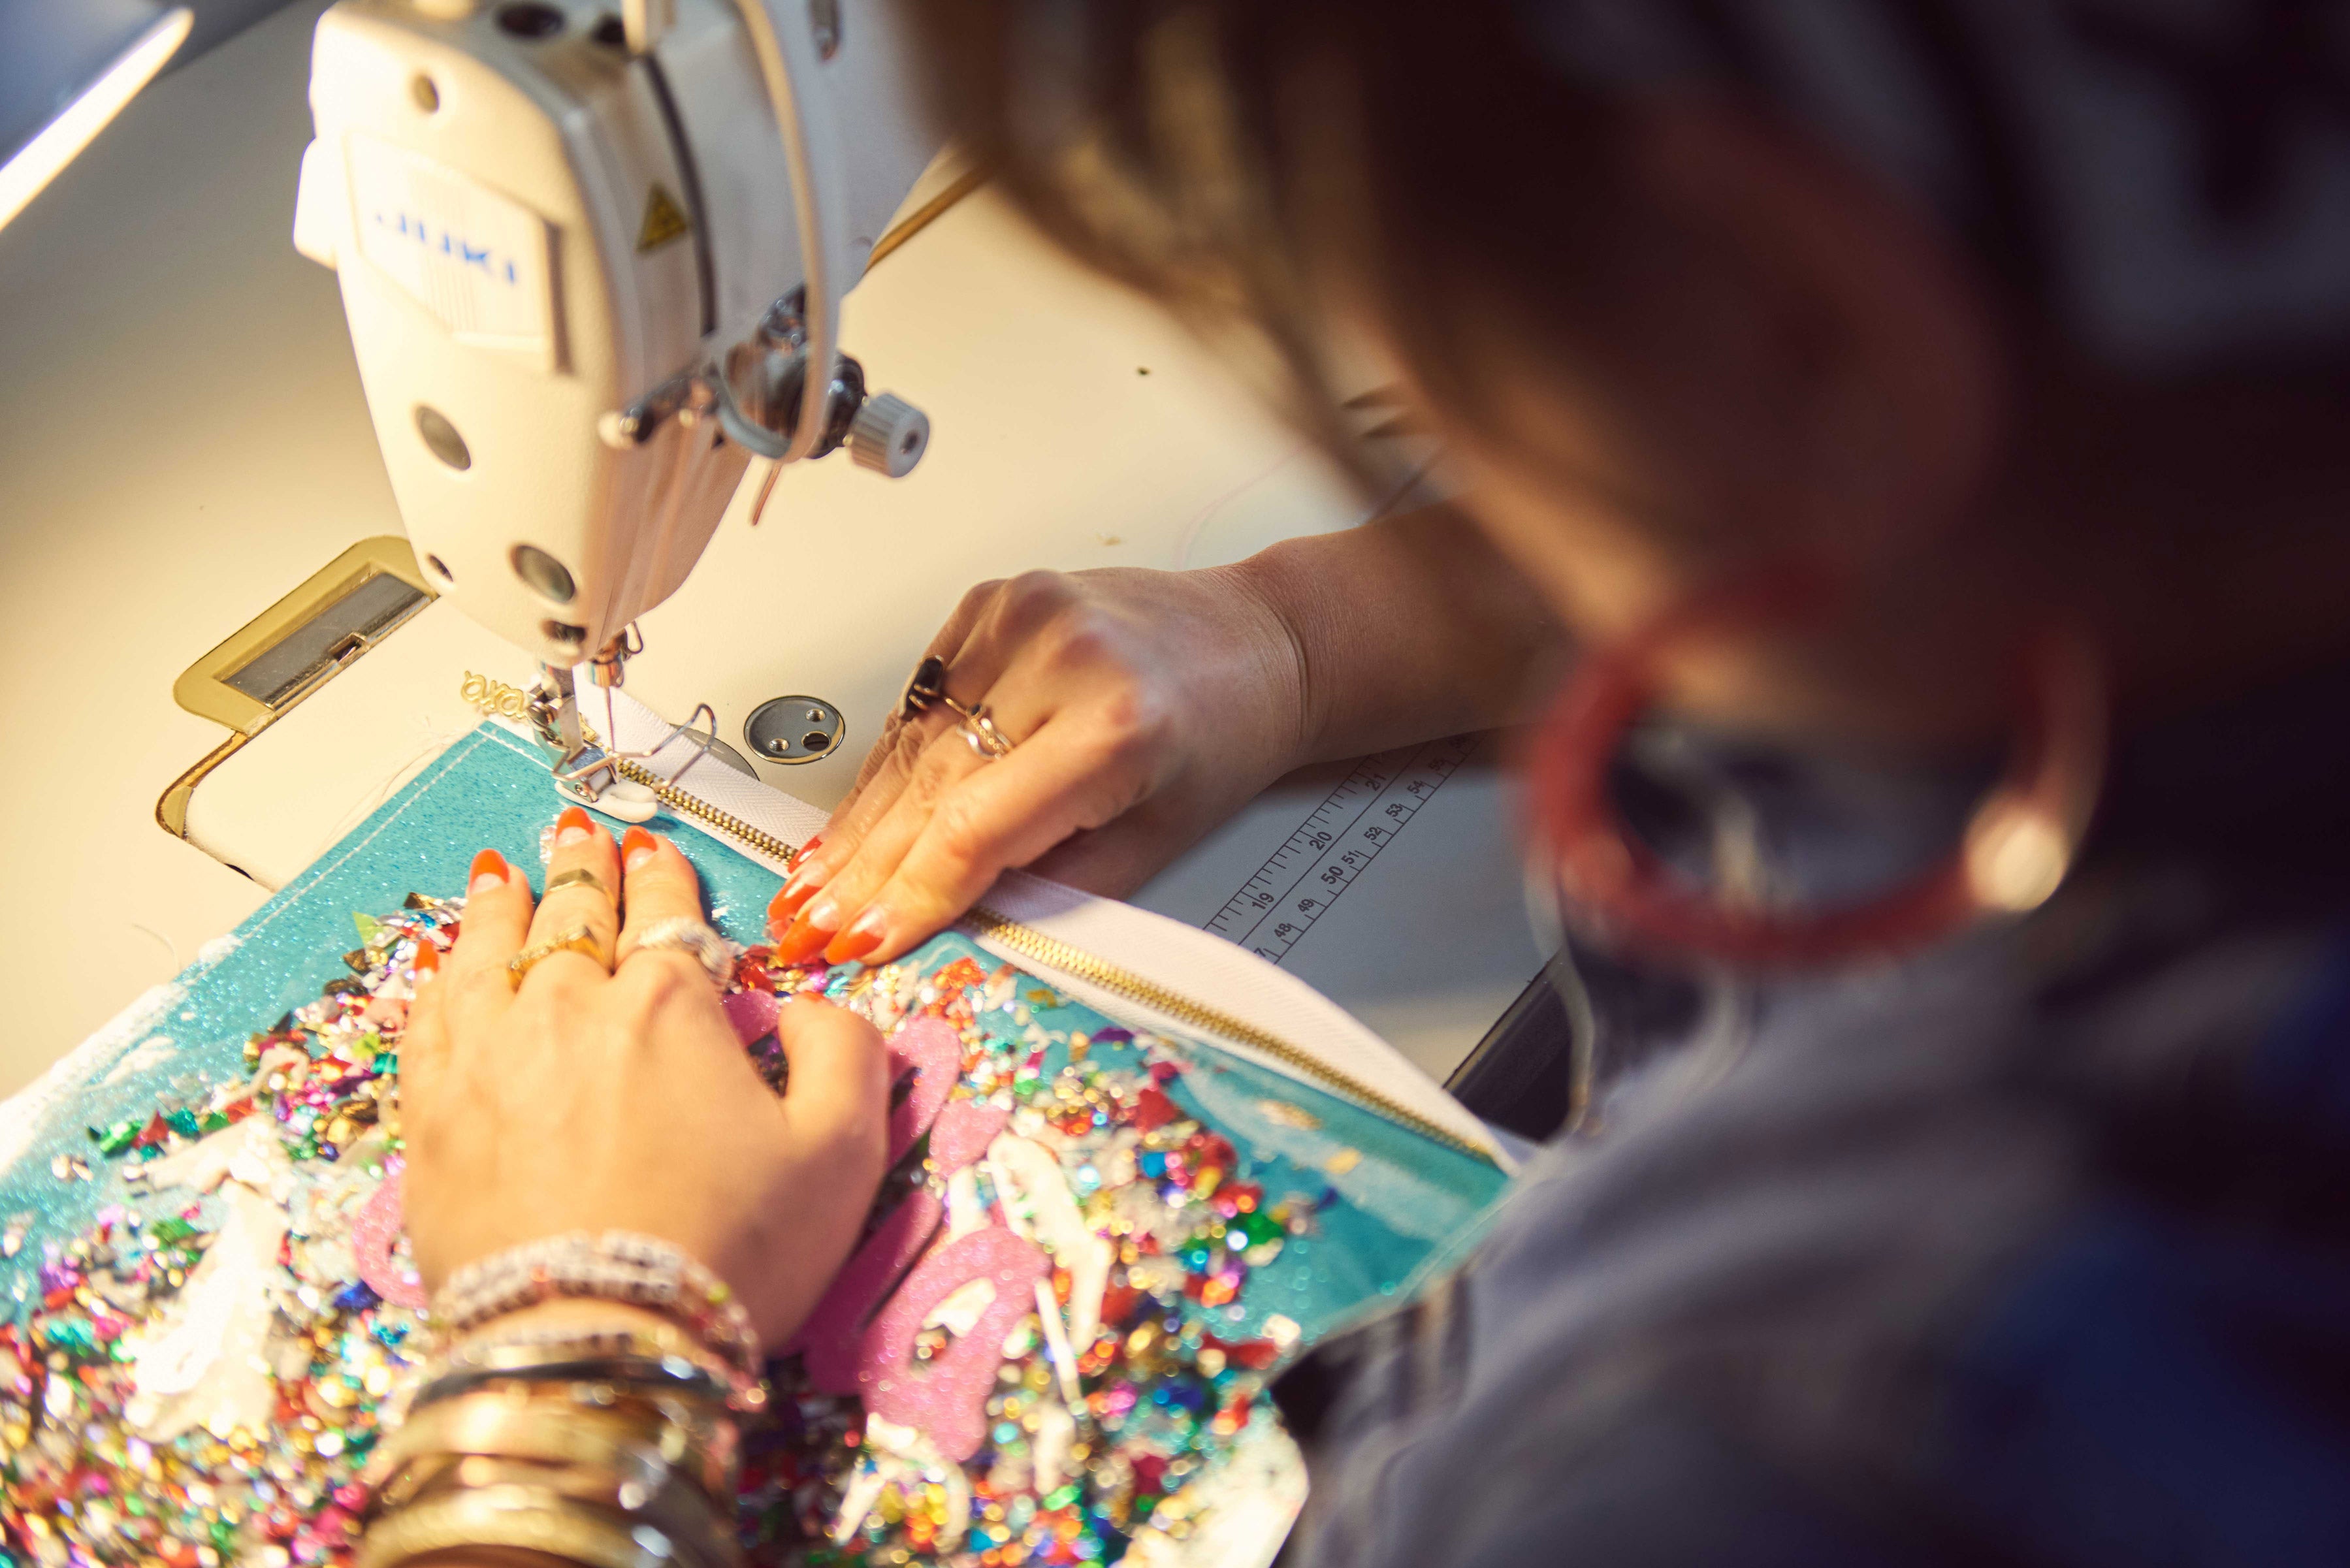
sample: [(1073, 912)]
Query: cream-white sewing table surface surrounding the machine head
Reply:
[(182, 441)]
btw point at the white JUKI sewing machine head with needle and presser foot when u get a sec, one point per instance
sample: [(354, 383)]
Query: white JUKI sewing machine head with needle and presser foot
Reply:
[(605, 262)]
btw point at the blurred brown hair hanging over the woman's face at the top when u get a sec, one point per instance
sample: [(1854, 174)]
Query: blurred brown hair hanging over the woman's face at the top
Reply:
[(1204, 149)]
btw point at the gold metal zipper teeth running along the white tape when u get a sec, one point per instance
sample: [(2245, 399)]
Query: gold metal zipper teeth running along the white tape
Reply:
[(1115, 979)]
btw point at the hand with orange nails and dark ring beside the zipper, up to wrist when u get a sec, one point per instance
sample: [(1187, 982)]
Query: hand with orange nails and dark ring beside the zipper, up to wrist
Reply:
[(1146, 706)]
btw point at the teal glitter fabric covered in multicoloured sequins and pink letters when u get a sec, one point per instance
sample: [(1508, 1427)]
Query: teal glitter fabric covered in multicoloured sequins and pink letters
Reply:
[(1087, 1261)]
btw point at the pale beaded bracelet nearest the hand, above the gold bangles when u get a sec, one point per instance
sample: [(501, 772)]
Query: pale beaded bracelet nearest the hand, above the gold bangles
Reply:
[(612, 1266)]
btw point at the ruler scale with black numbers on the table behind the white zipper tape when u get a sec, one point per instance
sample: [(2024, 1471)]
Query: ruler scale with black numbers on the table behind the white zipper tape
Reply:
[(1343, 836)]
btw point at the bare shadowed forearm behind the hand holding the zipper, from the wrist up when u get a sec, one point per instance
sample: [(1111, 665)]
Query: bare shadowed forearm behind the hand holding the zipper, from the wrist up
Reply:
[(1406, 629)]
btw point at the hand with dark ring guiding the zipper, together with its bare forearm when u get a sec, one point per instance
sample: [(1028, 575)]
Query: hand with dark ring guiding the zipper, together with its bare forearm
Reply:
[(1148, 706)]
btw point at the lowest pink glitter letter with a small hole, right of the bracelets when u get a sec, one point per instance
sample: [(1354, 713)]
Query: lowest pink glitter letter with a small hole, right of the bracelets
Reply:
[(948, 1398)]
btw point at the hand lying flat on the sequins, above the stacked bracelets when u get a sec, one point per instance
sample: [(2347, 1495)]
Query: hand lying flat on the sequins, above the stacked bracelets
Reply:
[(624, 1101)]
